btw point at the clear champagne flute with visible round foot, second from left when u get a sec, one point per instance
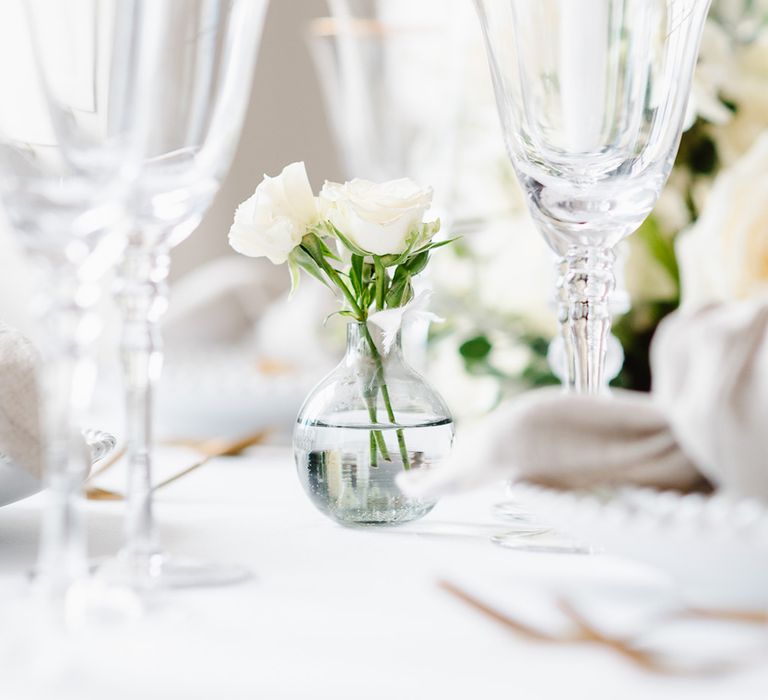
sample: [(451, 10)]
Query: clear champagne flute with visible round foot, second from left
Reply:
[(201, 90)]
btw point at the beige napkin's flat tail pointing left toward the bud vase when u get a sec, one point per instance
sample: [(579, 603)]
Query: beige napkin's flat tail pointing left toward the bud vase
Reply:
[(567, 441)]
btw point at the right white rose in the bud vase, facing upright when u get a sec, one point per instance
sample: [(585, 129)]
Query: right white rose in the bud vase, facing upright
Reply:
[(377, 218)]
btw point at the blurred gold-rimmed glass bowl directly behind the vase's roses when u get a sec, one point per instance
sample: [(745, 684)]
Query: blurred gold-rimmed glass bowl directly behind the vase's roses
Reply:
[(390, 72)]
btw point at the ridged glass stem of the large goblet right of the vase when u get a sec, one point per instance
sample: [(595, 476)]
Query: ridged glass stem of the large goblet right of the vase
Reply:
[(587, 282)]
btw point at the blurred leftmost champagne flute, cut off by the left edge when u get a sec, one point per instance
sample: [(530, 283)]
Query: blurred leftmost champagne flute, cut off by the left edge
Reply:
[(73, 74)]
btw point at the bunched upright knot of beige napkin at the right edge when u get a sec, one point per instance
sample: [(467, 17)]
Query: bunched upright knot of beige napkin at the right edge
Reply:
[(710, 378)]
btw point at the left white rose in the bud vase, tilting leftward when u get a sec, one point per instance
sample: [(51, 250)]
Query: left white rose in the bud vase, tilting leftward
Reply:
[(272, 222)]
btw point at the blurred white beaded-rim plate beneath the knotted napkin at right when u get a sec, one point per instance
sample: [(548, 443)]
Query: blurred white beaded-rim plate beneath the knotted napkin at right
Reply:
[(714, 547)]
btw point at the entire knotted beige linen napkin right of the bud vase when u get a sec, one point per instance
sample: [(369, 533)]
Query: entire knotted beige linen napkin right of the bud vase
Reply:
[(707, 416)]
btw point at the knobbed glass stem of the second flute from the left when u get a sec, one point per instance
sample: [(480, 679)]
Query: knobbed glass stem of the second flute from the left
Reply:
[(144, 299)]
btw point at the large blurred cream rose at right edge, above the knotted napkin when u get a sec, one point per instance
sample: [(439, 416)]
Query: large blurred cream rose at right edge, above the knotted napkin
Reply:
[(724, 255)]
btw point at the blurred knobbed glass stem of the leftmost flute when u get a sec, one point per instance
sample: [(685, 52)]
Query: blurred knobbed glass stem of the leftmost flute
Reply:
[(69, 327)]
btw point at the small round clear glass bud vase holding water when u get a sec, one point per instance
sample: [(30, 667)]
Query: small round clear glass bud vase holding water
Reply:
[(367, 421)]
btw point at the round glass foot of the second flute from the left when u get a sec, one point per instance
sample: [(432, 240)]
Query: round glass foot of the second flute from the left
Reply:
[(160, 572)]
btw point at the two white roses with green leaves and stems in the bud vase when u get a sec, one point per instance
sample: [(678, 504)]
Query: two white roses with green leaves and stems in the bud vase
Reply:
[(363, 240)]
